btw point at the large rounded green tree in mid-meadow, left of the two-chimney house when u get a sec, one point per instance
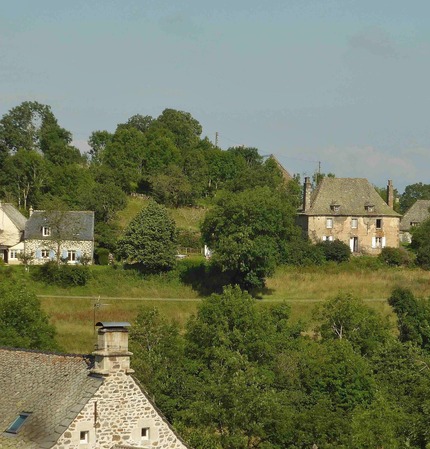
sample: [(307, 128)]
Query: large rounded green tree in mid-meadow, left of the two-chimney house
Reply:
[(246, 232)]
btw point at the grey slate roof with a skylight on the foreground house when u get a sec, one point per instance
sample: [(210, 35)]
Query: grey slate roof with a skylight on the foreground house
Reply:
[(53, 387)]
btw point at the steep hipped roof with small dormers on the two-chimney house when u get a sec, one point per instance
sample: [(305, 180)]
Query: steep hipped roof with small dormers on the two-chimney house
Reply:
[(351, 194)]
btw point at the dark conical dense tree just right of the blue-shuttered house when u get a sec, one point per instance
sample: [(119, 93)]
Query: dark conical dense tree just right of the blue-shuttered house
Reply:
[(150, 239)]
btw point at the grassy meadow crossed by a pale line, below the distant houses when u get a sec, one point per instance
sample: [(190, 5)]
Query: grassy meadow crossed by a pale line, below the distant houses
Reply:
[(124, 292)]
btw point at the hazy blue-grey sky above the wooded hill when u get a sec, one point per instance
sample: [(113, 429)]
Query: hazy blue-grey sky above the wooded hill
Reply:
[(340, 82)]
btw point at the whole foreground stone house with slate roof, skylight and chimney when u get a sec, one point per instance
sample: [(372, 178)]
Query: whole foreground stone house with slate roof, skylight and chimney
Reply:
[(64, 401)]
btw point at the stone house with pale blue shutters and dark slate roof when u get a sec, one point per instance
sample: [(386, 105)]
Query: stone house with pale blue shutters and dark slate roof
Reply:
[(55, 235)]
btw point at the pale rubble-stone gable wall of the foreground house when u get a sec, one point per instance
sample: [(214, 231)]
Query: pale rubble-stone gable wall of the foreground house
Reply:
[(115, 416)]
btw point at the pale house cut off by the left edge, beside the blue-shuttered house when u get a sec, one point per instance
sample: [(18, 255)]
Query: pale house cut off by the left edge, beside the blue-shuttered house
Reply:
[(12, 224)]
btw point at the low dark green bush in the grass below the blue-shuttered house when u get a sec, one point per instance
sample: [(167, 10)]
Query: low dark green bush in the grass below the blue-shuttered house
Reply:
[(62, 275)]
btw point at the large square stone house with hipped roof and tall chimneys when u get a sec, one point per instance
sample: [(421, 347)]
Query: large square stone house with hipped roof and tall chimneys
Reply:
[(349, 210)]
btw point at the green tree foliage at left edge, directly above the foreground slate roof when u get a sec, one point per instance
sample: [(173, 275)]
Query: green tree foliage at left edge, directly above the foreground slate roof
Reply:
[(23, 324)]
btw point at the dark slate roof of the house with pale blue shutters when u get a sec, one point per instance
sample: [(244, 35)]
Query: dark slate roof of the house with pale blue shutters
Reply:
[(67, 225)]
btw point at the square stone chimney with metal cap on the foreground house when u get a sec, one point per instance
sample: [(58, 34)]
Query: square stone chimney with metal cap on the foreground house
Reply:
[(112, 355)]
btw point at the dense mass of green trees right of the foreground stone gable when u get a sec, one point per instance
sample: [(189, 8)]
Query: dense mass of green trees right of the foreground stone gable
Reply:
[(244, 376)]
